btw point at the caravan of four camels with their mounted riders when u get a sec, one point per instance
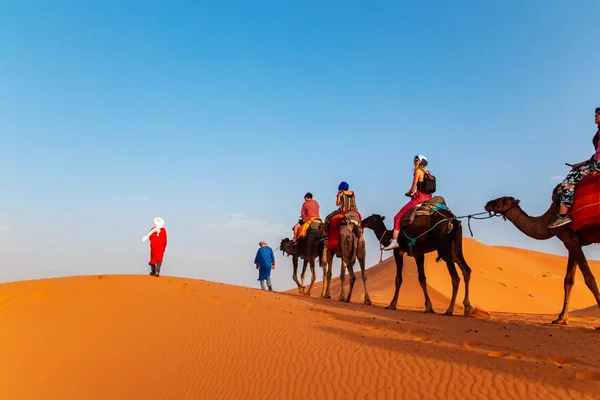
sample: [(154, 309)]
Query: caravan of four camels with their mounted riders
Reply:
[(426, 224)]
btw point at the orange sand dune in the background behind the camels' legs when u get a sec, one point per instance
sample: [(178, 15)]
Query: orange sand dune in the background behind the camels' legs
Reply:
[(503, 279)]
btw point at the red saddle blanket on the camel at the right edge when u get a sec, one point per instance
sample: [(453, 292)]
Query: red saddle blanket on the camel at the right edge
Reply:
[(586, 203)]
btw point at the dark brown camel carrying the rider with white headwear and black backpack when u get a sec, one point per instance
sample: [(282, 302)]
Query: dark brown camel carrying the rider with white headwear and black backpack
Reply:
[(440, 232)]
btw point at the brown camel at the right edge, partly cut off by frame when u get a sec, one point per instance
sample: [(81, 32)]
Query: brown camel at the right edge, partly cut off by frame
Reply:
[(537, 228)]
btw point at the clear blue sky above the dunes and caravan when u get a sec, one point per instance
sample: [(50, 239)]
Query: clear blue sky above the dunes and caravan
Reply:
[(219, 116)]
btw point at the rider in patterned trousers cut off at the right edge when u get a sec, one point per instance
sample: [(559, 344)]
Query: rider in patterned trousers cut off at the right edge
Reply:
[(579, 171)]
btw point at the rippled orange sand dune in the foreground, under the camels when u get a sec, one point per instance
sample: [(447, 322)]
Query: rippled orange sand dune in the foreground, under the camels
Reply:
[(134, 337)]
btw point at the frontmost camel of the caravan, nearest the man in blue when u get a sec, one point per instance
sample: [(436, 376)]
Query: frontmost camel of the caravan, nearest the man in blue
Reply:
[(308, 248)]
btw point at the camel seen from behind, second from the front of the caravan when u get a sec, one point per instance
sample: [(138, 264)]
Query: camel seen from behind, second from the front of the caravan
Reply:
[(351, 246)]
